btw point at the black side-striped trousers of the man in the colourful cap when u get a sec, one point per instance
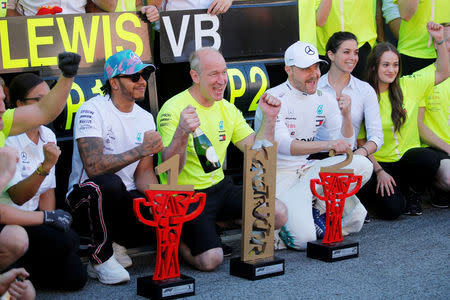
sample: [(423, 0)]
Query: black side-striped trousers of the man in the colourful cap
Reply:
[(107, 206)]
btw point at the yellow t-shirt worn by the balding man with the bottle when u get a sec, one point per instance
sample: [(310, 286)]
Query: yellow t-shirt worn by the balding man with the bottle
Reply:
[(222, 123)]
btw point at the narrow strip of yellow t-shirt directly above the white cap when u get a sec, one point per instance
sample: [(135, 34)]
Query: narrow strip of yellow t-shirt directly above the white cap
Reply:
[(307, 20)]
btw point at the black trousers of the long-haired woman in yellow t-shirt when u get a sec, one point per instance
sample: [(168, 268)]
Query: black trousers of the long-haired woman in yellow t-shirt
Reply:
[(416, 170)]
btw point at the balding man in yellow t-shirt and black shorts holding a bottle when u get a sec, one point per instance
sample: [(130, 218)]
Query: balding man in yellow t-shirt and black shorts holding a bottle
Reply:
[(202, 105)]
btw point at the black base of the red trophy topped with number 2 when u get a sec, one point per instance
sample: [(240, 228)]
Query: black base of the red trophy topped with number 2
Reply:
[(333, 251)]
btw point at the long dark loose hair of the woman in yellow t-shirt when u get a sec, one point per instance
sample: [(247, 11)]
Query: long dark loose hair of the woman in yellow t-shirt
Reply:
[(398, 114)]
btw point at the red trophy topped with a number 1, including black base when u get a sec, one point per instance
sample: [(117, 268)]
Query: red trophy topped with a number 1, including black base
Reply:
[(169, 204)]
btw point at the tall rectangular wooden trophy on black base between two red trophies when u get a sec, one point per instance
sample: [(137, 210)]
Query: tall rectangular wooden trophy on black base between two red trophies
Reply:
[(258, 216)]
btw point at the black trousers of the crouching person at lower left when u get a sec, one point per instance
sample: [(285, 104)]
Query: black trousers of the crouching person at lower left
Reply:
[(52, 260)]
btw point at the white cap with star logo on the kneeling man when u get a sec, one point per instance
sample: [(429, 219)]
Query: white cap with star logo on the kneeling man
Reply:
[(302, 55)]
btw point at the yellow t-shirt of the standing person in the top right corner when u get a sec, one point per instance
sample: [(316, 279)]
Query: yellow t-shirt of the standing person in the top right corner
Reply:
[(413, 35)]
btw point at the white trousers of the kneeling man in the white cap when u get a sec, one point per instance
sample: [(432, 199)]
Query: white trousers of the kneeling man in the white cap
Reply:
[(293, 188)]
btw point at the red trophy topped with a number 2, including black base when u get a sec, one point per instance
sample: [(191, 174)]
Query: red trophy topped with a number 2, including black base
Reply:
[(335, 183)]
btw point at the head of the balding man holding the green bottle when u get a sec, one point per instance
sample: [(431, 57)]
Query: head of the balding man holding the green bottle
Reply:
[(211, 79)]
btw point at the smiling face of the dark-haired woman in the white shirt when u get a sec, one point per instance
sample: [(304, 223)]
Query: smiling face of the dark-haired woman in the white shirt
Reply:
[(346, 56)]
